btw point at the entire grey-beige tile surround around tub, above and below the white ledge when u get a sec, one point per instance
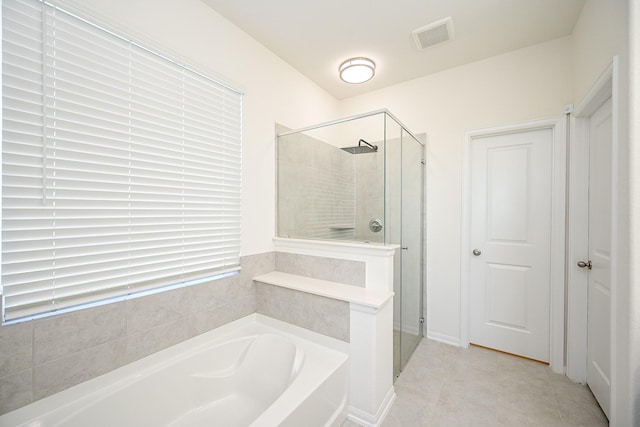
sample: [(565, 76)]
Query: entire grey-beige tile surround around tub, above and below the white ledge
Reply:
[(41, 357)]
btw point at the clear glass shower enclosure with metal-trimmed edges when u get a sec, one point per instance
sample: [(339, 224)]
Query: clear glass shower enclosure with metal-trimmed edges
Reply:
[(360, 179)]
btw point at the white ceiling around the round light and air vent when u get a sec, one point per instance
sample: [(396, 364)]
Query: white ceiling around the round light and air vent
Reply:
[(316, 36)]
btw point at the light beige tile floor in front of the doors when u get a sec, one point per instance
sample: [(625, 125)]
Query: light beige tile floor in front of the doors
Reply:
[(445, 386)]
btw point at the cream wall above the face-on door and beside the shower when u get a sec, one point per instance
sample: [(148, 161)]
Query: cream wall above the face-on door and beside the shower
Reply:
[(527, 84)]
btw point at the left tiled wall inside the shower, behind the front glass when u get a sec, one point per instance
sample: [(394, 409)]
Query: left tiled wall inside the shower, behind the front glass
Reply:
[(316, 189)]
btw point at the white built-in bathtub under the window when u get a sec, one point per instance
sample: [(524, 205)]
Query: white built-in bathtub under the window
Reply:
[(255, 372)]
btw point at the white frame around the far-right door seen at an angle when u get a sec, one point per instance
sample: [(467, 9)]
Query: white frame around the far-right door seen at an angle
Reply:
[(605, 87)]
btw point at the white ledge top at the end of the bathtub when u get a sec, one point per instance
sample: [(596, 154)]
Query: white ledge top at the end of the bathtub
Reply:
[(352, 294)]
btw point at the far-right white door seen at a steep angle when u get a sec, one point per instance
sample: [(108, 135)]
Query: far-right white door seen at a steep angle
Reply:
[(599, 294)]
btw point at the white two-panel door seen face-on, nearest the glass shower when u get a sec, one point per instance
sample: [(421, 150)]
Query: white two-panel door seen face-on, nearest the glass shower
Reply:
[(510, 267)]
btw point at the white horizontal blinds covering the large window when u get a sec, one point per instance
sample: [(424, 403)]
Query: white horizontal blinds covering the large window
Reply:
[(120, 167)]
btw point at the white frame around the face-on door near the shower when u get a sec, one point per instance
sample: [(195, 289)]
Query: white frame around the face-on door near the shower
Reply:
[(558, 204)]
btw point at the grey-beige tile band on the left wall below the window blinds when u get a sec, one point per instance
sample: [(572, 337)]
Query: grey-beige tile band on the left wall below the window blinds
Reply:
[(41, 357)]
